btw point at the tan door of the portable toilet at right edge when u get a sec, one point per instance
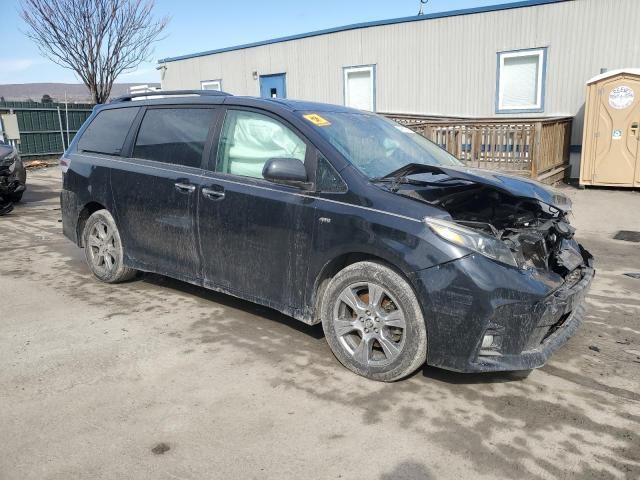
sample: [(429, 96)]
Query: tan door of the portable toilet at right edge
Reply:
[(616, 147)]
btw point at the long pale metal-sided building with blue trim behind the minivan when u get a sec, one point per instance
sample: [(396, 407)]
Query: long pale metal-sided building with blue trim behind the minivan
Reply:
[(530, 58)]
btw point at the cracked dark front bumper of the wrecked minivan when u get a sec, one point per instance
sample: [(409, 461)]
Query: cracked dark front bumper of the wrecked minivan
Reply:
[(529, 314)]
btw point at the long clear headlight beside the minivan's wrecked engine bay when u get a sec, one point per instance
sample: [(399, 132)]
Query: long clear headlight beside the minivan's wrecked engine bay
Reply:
[(485, 245)]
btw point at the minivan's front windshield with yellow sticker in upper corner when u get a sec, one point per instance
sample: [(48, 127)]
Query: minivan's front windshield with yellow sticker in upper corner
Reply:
[(375, 145)]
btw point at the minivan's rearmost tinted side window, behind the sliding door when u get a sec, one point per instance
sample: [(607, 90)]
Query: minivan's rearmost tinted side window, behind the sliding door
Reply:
[(108, 131)]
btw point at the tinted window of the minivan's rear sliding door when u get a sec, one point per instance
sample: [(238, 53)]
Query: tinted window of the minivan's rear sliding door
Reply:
[(174, 135)]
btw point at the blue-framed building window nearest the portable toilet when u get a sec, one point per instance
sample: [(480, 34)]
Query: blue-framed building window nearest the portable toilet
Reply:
[(521, 81)]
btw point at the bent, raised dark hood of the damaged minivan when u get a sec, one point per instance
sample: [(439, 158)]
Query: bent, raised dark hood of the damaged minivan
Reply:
[(511, 184)]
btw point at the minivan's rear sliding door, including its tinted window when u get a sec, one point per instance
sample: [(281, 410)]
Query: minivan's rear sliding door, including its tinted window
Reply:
[(155, 190)]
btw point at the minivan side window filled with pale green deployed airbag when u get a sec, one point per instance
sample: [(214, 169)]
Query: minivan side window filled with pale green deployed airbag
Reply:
[(249, 139)]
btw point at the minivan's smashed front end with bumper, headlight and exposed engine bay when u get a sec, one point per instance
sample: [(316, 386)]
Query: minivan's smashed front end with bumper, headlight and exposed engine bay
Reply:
[(517, 297)]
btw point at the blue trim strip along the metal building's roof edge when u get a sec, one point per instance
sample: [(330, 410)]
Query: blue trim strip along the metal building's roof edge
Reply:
[(378, 23)]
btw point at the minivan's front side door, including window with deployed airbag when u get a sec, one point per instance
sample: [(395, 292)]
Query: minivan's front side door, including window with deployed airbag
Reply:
[(255, 235)]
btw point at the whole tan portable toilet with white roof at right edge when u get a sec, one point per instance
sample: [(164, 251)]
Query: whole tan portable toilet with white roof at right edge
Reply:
[(610, 147)]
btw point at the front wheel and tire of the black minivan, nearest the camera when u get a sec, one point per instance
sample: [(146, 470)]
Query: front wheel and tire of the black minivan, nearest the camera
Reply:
[(383, 338)]
